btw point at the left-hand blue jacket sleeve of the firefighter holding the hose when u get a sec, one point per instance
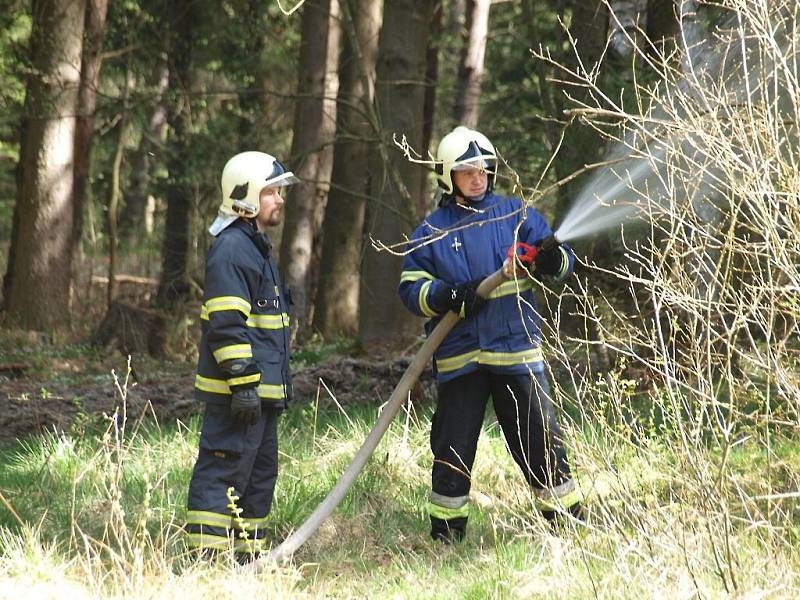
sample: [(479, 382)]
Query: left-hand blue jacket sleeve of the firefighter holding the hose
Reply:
[(418, 281)]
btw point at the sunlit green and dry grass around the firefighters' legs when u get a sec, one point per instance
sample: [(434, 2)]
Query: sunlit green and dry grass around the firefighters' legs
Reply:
[(100, 515)]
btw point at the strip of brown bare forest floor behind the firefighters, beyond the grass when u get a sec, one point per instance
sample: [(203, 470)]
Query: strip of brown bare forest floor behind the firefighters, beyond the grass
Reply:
[(65, 396)]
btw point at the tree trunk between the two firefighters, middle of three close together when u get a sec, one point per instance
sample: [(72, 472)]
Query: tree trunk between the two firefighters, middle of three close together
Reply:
[(336, 307)]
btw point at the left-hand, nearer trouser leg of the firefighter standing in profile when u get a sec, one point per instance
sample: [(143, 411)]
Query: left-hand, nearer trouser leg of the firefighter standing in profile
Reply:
[(220, 477)]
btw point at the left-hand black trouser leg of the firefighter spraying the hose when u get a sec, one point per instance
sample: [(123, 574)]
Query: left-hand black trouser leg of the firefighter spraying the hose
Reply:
[(454, 438)]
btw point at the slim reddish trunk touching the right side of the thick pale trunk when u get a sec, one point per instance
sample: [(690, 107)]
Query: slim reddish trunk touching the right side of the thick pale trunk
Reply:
[(95, 26)]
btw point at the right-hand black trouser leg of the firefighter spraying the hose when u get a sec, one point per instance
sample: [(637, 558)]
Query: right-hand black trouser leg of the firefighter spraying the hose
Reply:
[(528, 420)]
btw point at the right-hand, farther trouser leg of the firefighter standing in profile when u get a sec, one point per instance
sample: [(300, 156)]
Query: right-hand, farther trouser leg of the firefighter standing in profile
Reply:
[(256, 502)]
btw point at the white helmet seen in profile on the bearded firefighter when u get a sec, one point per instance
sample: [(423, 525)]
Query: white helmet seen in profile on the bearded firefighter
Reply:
[(243, 178)]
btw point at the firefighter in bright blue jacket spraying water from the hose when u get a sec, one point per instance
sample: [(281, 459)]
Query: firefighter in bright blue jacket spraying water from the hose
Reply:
[(494, 350)]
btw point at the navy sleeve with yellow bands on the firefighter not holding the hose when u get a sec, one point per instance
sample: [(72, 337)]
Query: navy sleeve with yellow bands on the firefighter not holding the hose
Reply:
[(226, 308)]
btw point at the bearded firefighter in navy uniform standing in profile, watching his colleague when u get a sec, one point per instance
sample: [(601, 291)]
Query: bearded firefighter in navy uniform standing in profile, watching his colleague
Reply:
[(243, 369)]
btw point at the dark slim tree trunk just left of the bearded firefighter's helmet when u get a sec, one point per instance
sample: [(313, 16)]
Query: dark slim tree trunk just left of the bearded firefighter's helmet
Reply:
[(173, 285)]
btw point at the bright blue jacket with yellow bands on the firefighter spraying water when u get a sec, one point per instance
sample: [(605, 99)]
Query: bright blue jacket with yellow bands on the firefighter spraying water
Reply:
[(457, 244)]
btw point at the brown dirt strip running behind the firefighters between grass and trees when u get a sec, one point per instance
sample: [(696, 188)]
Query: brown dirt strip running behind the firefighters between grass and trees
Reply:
[(30, 406)]
